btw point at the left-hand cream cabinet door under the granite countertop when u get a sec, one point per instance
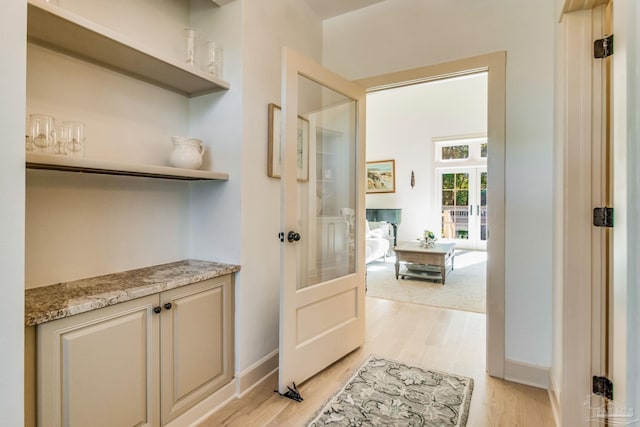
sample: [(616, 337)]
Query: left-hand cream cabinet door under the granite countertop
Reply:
[(100, 368)]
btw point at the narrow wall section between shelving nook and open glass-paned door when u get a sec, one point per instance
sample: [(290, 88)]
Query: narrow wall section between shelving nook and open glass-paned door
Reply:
[(267, 27)]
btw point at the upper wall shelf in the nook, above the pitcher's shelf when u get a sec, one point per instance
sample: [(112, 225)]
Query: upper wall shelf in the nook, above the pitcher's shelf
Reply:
[(68, 33)]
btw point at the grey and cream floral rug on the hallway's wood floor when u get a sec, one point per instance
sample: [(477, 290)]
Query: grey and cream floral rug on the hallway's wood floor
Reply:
[(387, 393)]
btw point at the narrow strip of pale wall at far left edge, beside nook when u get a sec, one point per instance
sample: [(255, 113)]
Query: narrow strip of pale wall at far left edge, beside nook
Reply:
[(12, 105)]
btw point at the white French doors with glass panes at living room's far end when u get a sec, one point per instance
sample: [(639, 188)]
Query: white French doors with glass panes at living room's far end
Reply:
[(463, 206)]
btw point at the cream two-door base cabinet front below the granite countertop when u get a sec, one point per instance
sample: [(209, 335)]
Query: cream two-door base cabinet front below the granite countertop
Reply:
[(140, 363)]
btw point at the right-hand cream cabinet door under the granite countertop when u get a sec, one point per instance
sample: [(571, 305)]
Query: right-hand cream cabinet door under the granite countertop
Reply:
[(196, 343)]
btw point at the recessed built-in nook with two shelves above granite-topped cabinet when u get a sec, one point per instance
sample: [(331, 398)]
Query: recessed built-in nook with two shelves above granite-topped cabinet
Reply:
[(121, 68)]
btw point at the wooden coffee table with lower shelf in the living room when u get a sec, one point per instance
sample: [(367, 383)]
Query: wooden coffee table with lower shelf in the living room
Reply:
[(425, 263)]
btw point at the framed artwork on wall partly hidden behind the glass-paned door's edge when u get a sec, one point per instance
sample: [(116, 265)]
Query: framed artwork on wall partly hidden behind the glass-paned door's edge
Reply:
[(274, 161)]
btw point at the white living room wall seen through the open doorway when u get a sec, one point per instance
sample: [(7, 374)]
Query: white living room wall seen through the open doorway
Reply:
[(401, 124)]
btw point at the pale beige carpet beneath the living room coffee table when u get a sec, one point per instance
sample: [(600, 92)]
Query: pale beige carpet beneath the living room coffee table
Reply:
[(464, 289)]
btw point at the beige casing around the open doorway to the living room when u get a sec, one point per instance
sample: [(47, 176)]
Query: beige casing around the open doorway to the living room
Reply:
[(495, 65)]
